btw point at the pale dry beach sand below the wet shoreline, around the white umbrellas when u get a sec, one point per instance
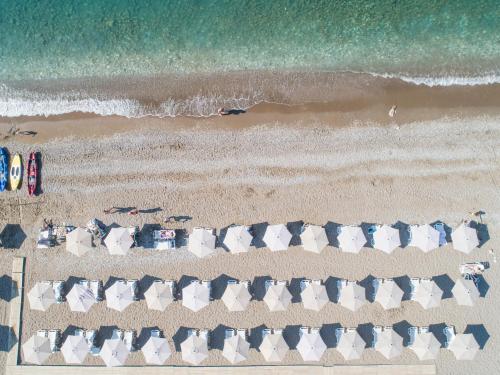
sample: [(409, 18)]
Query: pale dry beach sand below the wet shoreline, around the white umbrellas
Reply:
[(309, 170)]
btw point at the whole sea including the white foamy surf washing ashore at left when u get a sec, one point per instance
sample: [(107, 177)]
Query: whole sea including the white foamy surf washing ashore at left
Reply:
[(188, 57)]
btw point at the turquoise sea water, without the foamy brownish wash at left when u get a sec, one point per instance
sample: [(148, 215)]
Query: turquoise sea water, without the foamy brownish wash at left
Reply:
[(435, 42)]
